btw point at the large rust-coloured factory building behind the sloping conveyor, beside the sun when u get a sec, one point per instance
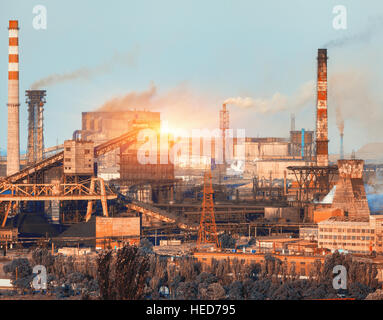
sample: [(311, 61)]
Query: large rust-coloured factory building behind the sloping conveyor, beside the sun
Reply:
[(123, 163)]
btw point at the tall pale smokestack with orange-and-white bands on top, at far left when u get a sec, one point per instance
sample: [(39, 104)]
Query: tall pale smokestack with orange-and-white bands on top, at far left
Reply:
[(13, 143)]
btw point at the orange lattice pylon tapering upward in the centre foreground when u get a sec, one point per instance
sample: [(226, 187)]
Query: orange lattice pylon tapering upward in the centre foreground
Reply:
[(207, 233)]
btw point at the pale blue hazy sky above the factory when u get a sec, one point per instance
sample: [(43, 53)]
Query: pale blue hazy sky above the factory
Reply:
[(200, 53)]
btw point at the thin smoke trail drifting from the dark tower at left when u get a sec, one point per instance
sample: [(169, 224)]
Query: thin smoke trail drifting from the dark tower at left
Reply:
[(86, 72)]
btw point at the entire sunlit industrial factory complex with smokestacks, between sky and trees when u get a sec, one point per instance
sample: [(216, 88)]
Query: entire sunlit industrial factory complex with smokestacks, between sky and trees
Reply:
[(121, 178)]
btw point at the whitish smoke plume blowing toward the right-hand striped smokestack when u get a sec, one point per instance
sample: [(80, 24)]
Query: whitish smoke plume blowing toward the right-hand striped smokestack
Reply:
[(278, 102)]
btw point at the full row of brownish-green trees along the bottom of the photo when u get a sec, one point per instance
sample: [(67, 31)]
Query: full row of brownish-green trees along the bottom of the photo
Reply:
[(138, 273)]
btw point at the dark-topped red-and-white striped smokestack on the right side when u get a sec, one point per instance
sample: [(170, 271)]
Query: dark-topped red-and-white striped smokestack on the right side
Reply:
[(321, 125)]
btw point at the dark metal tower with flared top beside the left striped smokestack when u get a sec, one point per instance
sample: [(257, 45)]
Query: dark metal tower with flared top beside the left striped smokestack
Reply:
[(35, 101)]
